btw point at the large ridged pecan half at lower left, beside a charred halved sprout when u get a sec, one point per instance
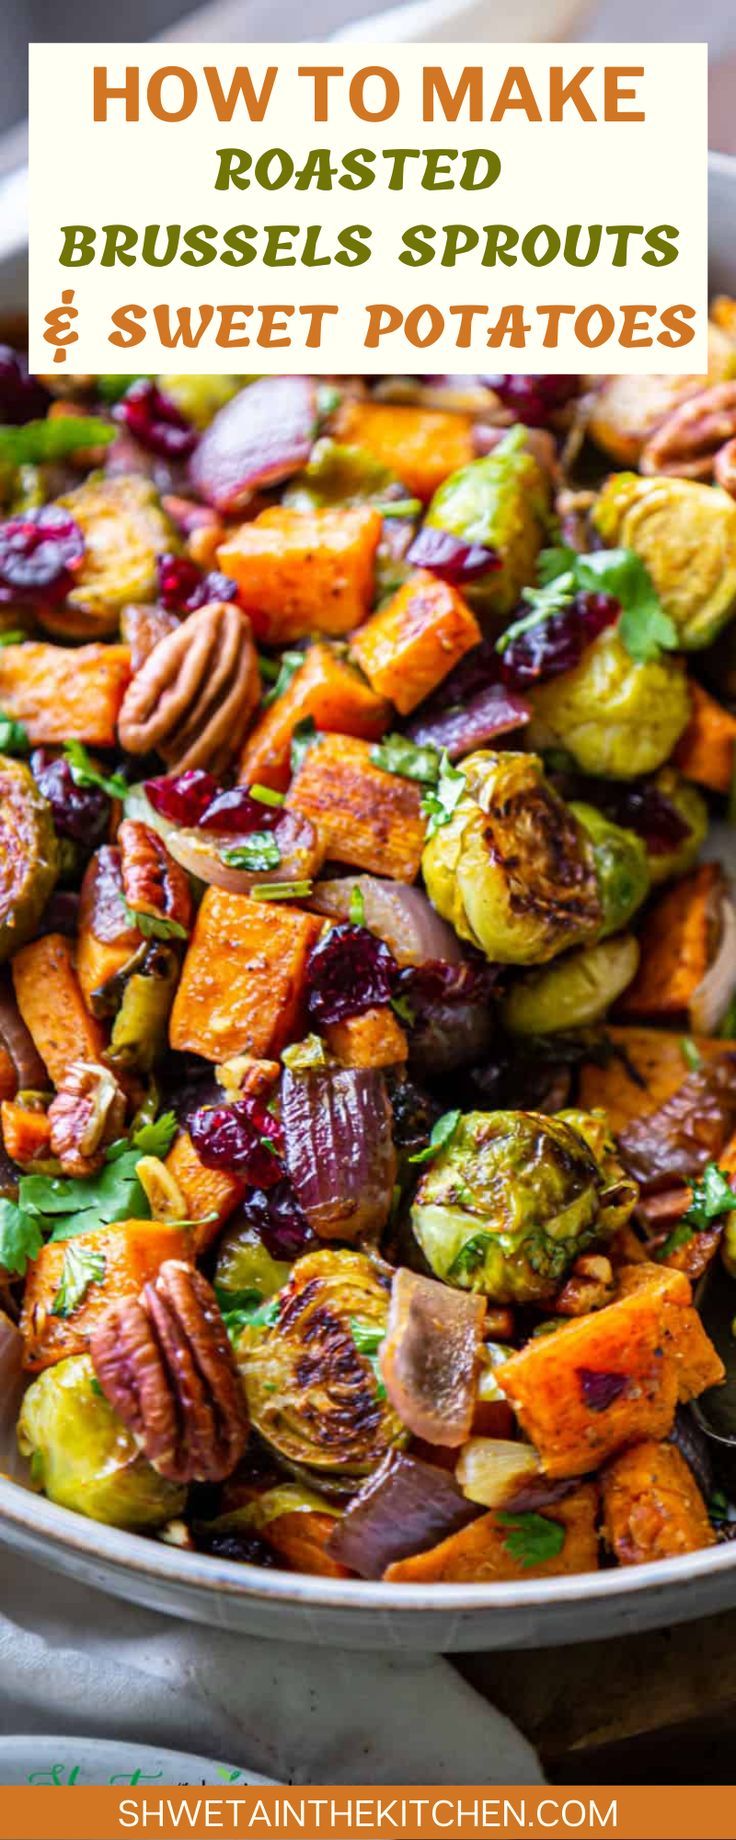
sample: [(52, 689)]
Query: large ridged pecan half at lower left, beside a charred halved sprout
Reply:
[(167, 1366)]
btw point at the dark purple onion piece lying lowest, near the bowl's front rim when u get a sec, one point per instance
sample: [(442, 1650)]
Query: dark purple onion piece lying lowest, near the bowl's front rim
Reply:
[(406, 1508)]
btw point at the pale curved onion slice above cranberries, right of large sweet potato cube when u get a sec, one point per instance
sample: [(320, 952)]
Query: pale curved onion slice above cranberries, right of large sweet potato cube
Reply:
[(400, 915)]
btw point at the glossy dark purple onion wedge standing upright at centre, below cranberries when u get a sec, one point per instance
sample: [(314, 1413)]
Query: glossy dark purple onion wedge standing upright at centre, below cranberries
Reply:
[(339, 1149)]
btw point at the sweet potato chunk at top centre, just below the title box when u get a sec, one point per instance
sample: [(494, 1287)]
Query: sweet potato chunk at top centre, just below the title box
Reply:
[(420, 446)]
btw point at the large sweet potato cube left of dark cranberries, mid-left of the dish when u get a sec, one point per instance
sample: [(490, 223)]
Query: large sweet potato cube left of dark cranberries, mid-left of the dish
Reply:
[(244, 976)]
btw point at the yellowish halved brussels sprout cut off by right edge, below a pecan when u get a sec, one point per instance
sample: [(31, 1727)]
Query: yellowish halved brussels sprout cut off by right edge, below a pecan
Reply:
[(685, 533)]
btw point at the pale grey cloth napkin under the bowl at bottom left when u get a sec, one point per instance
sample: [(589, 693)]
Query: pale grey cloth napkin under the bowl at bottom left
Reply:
[(84, 1664)]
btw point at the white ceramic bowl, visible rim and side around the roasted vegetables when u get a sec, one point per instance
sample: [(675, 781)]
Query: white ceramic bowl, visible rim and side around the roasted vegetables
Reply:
[(389, 1616)]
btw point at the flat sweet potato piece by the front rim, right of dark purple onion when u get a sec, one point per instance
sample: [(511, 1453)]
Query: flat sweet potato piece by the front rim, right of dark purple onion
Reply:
[(490, 1550)]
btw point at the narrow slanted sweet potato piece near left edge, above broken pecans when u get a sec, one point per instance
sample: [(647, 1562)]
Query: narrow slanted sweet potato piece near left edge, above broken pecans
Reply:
[(52, 1006)]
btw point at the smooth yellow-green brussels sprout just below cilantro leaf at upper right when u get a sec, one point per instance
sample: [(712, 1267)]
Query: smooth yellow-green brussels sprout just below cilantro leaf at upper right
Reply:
[(612, 715)]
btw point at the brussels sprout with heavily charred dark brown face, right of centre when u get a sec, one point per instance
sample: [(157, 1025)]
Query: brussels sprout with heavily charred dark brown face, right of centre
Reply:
[(512, 869)]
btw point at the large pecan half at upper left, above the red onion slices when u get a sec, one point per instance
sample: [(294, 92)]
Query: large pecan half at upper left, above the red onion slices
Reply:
[(196, 693)]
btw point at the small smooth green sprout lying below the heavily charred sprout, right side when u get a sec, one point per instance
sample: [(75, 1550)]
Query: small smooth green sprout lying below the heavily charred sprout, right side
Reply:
[(575, 991)]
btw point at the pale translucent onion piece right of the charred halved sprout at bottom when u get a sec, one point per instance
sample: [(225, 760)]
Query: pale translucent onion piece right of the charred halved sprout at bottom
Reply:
[(430, 1361)]
